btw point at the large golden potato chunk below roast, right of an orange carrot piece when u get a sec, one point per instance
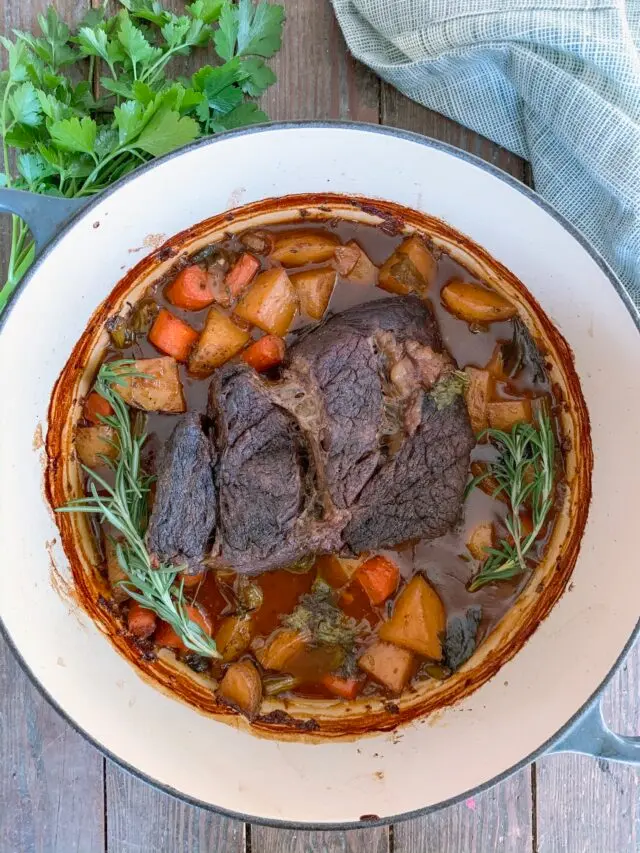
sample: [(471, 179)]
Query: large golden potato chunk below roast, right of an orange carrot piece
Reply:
[(418, 620)]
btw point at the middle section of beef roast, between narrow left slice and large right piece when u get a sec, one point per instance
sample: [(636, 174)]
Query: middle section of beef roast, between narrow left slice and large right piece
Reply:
[(267, 502)]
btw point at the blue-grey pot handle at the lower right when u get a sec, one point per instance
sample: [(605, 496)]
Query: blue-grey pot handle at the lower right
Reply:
[(590, 735)]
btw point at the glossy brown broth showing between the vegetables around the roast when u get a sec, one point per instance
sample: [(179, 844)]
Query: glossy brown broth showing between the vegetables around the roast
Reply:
[(444, 561)]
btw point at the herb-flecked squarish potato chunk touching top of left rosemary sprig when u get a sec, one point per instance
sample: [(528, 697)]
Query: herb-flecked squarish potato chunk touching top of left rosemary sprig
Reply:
[(158, 390)]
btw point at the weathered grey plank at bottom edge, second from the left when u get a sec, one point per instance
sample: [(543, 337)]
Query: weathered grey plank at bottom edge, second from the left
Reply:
[(141, 819)]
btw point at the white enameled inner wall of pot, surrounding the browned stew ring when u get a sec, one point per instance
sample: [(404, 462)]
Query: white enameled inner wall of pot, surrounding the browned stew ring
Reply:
[(433, 760)]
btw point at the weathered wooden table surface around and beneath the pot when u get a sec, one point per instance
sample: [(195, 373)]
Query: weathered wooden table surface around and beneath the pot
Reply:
[(59, 795)]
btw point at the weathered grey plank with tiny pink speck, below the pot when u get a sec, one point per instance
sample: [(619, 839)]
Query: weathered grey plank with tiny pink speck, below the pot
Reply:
[(498, 819)]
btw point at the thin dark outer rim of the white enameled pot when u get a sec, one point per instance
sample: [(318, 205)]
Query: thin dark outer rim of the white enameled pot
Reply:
[(514, 184)]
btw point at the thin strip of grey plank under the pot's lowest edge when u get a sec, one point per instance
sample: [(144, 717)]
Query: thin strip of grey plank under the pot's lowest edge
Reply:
[(267, 840)]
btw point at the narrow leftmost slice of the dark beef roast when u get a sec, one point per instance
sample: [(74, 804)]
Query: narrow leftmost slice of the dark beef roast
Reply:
[(184, 509)]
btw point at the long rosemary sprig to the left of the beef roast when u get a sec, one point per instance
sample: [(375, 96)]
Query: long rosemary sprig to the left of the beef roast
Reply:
[(124, 507)]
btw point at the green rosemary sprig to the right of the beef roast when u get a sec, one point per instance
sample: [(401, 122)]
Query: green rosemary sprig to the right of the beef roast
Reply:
[(524, 472)]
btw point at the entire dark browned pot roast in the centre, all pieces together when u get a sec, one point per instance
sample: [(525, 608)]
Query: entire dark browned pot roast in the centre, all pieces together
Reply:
[(362, 443)]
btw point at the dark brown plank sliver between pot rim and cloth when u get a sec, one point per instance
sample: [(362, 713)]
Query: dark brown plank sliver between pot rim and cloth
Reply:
[(399, 111)]
